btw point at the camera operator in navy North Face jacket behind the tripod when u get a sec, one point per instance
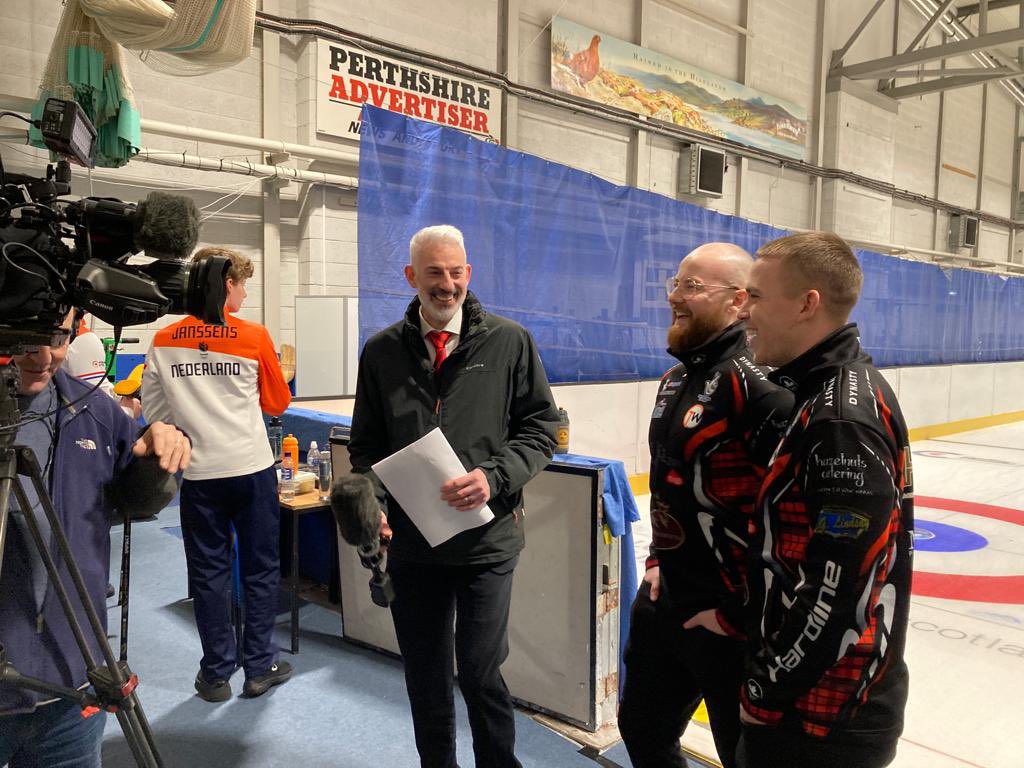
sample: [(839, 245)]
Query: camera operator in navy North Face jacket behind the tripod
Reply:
[(92, 456)]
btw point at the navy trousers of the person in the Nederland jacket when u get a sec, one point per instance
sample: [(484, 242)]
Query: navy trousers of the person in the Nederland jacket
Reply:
[(208, 510)]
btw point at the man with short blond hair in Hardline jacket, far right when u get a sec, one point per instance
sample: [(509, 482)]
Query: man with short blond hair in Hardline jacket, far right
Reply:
[(827, 684)]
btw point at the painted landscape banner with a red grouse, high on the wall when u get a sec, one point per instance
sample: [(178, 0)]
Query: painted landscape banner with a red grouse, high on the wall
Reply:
[(614, 72)]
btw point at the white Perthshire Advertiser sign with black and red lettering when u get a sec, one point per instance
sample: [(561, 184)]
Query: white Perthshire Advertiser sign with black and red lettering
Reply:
[(350, 77)]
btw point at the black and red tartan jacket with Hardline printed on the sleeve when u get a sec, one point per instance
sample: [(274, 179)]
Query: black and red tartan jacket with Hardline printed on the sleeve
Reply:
[(831, 575)]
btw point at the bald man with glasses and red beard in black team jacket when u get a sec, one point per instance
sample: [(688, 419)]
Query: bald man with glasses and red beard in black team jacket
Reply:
[(715, 424)]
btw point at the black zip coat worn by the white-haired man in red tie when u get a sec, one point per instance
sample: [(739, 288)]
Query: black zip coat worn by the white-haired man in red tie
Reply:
[(492, 401)]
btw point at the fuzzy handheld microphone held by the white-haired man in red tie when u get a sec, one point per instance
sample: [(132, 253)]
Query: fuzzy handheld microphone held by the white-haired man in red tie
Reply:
[(359, 518)]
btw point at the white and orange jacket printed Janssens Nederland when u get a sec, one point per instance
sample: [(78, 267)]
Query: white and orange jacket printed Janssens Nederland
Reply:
[(214, 382)]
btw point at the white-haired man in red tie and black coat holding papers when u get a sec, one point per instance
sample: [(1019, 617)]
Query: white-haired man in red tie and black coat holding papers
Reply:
[(479, 378)]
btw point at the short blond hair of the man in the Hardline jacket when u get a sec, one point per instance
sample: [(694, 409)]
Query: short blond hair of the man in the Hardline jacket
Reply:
[(821, 262)]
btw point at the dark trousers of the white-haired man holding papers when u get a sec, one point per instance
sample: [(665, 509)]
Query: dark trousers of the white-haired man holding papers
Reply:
[(460, 611)]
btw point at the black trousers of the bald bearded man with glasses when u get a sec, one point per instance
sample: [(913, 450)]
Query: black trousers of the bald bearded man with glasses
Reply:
[(668, 671)]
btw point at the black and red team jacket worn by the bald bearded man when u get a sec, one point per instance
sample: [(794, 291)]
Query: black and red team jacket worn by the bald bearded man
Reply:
[(716, 421)]
